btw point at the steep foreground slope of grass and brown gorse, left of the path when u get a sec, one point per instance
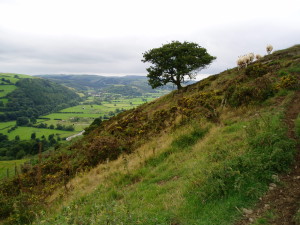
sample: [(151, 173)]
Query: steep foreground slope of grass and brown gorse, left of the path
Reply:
[(195, 156)]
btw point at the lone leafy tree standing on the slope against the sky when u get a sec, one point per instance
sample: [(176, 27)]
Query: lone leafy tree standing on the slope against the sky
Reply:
[(174, 62)]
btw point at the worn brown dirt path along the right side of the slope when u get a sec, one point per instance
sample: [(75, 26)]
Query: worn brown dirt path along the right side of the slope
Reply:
[(283, 200)]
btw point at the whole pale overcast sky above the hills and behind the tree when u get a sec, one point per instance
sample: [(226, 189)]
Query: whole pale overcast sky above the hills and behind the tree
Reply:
[(108, 37)]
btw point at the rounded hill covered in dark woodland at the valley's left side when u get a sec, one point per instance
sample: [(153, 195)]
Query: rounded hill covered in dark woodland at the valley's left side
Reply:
[(31, 97)]
